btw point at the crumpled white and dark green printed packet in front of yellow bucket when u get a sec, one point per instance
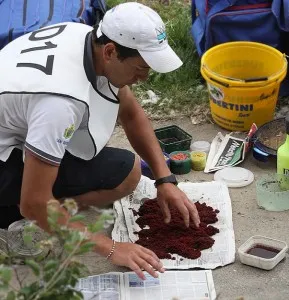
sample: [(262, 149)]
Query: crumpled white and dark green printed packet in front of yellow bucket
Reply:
[(228, 150)]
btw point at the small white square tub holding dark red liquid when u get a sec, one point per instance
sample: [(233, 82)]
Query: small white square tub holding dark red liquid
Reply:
[(260, 262)]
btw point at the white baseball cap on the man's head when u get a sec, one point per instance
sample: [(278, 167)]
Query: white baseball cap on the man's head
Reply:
[(137, 26)]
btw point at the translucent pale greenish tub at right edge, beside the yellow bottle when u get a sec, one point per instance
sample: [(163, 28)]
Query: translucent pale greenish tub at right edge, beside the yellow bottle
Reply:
[(269, 194)]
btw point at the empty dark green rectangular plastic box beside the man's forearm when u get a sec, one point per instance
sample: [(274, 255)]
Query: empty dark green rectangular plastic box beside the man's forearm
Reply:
[(173, 138)]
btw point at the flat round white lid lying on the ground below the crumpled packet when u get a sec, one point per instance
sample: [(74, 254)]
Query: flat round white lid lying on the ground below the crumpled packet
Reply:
[(234, 176)]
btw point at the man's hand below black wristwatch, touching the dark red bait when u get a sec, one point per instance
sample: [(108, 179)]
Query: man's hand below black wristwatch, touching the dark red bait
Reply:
[(169, 196)]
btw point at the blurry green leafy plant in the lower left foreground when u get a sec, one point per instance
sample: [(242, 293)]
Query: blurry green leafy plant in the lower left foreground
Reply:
[(56, 276)]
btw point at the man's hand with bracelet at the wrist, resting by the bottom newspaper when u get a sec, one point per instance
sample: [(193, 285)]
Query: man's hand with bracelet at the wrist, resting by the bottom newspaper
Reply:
[(137, 258)]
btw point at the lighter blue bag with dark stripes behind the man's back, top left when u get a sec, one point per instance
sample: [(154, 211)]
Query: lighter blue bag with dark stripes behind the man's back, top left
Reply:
[(21, 16)]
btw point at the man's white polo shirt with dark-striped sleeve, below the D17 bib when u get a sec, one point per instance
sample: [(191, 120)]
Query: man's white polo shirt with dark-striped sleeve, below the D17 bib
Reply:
[(40, 123)]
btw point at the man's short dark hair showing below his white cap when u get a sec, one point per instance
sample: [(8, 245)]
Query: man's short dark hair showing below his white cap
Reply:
[(122, 52)]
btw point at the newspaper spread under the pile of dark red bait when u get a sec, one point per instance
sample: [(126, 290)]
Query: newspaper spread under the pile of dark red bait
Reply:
[(215, 194)]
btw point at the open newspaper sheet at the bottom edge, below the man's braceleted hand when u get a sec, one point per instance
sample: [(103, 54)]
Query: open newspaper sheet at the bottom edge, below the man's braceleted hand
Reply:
[(179, 285)]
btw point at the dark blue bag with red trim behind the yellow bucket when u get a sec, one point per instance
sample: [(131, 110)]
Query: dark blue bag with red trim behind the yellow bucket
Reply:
[(218, 21)]
